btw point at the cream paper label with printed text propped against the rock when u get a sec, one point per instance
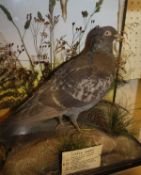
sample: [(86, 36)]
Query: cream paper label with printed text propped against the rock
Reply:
[(80, 160)]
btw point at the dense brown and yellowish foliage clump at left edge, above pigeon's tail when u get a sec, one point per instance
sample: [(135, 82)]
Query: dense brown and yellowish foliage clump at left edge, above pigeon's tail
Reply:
[(16, 82)]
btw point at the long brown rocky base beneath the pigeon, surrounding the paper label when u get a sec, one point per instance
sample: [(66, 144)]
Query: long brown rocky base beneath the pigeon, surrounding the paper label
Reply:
[(43, 156)]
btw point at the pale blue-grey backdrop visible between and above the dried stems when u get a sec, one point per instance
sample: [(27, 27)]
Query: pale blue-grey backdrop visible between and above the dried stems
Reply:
[(19, 9)]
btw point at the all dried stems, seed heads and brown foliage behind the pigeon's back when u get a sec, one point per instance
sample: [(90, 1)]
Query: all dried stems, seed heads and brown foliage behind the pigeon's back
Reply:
[(18, 82)]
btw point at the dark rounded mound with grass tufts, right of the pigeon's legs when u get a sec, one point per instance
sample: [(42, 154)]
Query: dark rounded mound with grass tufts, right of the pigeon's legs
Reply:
[(111, 118)]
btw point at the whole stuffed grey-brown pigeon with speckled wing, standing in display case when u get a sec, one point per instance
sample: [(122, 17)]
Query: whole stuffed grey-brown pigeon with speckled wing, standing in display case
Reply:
[(77, 84)]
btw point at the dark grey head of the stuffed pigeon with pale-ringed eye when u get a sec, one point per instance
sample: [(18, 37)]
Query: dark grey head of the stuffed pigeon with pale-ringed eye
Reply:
[(101, 38)]
